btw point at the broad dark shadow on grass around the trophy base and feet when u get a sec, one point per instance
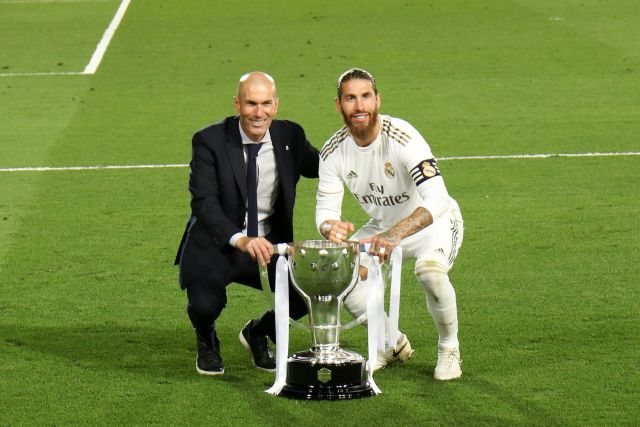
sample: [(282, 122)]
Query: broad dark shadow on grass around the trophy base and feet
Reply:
[(165, 358)]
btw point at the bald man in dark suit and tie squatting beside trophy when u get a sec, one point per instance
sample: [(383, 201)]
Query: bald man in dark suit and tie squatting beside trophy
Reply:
[(221, 244)]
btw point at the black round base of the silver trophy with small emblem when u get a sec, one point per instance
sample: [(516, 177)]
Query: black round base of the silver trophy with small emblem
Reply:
[(326, 381)]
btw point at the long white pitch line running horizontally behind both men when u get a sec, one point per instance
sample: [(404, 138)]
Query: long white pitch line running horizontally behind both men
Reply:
[(184, 165)]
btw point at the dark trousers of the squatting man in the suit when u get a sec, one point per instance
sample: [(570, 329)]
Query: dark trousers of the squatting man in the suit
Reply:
[(207, 290)]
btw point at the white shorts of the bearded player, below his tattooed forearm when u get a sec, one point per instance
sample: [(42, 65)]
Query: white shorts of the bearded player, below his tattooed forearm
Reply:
[(438, 242)]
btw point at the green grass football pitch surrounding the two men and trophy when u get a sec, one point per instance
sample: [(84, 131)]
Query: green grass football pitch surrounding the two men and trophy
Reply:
[(93, 329)]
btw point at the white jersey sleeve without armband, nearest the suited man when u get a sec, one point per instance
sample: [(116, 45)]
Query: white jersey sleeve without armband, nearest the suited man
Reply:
[(330, 192)]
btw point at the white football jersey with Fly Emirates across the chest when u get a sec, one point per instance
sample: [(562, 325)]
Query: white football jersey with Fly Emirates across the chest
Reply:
[(390, 178)]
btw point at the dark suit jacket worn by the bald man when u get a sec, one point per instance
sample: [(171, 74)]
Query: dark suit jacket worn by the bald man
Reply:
[(218, 188)]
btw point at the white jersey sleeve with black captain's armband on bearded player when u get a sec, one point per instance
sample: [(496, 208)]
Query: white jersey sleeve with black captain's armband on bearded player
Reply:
[(423, 167)]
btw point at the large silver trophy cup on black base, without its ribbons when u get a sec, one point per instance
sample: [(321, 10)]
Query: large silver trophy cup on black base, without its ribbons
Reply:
[(323, 272)]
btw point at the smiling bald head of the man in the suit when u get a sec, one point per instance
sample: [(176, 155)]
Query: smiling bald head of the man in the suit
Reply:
[(256, 103)]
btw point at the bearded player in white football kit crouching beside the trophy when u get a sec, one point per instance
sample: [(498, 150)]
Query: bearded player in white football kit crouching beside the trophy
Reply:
[(390, 170)]
